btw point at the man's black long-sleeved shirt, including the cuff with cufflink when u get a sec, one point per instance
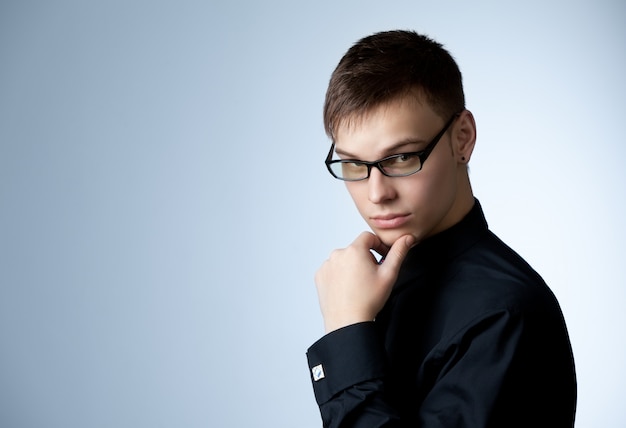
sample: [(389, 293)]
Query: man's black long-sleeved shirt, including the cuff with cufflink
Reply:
[(471, 336)]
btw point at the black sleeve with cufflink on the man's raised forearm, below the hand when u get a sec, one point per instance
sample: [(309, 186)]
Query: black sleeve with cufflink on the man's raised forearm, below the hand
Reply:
[(347, 370)]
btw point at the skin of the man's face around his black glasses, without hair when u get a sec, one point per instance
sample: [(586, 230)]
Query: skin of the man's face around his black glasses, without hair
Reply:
[(421, 204)]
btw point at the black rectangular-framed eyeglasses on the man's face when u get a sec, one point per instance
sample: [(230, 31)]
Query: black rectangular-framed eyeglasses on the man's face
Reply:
[(399, 165)]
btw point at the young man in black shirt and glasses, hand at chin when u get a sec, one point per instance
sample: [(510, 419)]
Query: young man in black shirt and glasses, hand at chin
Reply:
[(451, 328)]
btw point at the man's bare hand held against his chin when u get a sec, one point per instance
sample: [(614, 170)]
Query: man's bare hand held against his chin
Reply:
[(352, 286)]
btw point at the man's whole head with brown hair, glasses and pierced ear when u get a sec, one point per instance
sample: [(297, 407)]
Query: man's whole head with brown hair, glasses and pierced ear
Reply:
[(397, 98)]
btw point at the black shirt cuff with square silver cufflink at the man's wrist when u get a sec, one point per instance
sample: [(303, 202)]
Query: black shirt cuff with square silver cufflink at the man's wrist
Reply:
[(345, 357)]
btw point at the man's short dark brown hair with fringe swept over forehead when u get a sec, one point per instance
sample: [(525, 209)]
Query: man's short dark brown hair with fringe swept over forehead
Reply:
[(389, 65)]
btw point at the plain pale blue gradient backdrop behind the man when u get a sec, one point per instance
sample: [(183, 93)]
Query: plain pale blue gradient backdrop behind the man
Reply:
[(164, 203)]
